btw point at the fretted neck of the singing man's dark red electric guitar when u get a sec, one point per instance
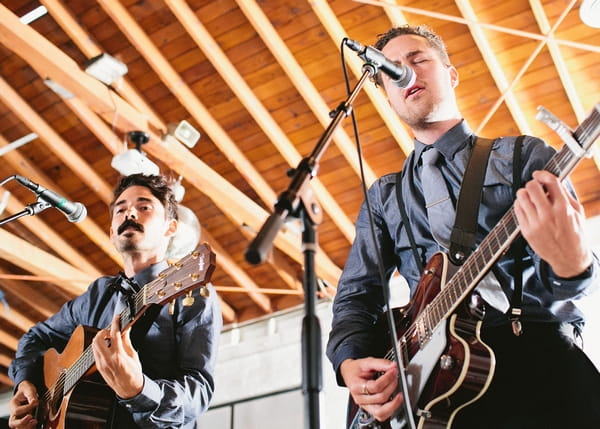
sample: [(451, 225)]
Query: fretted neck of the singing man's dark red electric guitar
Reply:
[(503, 234)]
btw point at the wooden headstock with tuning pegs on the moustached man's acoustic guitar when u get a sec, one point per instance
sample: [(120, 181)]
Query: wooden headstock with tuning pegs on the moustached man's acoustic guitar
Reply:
[(189, 272)]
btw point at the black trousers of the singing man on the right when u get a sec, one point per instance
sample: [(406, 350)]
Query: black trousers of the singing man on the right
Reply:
[(542, 381)]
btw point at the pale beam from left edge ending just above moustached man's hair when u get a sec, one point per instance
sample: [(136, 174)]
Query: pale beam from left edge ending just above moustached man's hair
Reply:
[(54, 141)]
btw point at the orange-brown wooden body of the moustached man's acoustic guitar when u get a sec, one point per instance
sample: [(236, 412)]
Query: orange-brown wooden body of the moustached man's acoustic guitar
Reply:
[(89, 404)]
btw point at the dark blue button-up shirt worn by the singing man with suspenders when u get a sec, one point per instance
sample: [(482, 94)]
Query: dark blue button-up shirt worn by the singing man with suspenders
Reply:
[(359, 299)]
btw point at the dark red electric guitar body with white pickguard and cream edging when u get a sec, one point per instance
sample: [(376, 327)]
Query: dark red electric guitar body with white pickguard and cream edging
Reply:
[(447, 368)]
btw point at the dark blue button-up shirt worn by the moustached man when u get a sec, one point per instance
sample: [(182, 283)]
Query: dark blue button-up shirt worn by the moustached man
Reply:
[(178, 354)]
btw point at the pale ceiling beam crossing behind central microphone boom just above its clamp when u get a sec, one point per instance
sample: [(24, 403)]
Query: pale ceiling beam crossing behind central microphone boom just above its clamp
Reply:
[(256, 109)]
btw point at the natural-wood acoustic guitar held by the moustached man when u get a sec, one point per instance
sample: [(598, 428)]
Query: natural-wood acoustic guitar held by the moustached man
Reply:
[(76, 396)]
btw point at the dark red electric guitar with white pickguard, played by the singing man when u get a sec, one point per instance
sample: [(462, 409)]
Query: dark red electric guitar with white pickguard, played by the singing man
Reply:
[(447, 365)]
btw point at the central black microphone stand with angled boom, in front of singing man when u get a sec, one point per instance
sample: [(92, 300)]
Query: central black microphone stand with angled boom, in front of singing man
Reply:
[(297, 202)]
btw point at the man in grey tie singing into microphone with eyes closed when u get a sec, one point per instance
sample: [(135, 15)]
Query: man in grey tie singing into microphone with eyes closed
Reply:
[(542, 379)]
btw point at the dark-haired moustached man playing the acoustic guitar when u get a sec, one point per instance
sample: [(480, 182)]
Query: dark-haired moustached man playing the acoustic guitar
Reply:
[(167, 379)]
